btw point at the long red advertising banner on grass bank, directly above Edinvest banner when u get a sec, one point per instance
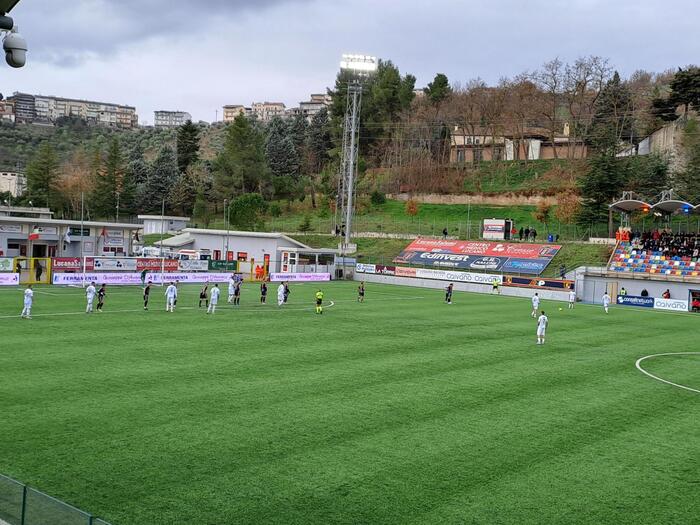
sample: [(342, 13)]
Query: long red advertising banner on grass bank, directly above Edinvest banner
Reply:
[(480, 248)]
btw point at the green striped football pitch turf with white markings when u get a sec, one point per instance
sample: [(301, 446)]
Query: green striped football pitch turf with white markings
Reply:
[(399, 410)]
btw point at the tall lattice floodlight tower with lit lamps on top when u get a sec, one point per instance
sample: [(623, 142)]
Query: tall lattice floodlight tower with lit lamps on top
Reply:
[(360, 67)]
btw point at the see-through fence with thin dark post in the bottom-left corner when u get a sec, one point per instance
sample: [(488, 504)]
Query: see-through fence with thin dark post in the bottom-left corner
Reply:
[(23, 505)]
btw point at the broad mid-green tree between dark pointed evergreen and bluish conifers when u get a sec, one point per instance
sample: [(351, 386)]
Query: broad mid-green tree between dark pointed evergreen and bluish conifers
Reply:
[(241, 166)]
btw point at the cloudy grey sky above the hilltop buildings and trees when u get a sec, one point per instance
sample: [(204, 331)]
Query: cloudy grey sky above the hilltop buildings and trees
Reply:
[(198, 55)]
